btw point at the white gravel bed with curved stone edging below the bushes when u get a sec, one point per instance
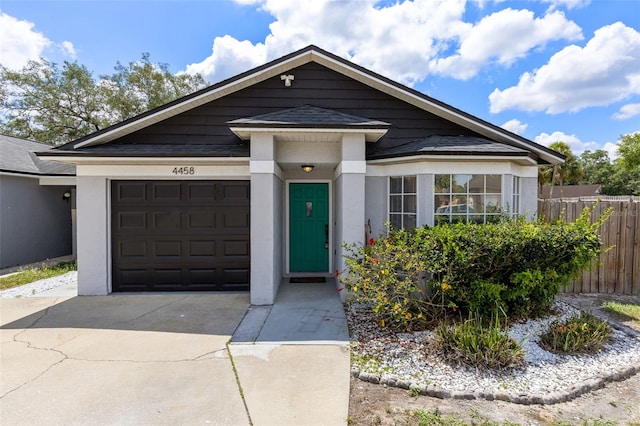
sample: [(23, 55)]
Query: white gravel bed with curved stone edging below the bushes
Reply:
[(405, 360)]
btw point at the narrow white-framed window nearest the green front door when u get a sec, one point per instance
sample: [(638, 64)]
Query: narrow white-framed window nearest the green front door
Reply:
[(403, 202)]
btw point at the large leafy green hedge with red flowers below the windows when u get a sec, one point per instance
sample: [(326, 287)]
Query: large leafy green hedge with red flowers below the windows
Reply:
[(414, 279)]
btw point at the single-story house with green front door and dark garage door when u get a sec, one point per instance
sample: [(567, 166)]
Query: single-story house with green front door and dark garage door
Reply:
[(265, 175)]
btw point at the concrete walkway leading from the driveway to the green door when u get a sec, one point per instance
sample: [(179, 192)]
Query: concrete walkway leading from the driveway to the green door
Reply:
[(293, 358)]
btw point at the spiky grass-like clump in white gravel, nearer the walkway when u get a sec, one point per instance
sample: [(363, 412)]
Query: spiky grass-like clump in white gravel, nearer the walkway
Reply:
[(481, 345)]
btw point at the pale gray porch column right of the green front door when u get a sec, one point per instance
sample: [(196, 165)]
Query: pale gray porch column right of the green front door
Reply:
[(350, 199)]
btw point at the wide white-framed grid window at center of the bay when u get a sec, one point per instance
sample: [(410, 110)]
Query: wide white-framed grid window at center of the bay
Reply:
[(467, 198)]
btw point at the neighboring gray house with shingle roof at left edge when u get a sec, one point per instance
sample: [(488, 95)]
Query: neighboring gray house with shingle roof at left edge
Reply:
[(36, 204)]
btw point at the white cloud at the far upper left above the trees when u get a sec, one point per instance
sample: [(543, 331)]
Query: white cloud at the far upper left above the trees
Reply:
[(19, 43)]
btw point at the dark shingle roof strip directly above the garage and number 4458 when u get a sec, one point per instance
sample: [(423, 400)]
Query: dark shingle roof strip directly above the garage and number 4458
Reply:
[(159, 150)]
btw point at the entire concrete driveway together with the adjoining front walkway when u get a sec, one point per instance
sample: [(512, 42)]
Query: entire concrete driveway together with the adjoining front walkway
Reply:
[(163, 360)]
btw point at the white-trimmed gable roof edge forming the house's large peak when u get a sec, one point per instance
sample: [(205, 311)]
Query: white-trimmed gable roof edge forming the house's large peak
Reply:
[(303, 56)]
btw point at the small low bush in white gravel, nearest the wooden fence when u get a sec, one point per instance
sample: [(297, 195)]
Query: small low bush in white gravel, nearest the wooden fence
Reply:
[(579, 334)]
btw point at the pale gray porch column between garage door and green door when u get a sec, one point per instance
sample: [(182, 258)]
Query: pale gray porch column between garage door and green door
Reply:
[(266, 192)]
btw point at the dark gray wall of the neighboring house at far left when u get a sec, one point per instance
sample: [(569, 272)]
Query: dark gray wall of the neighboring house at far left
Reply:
[(35, 221)]
